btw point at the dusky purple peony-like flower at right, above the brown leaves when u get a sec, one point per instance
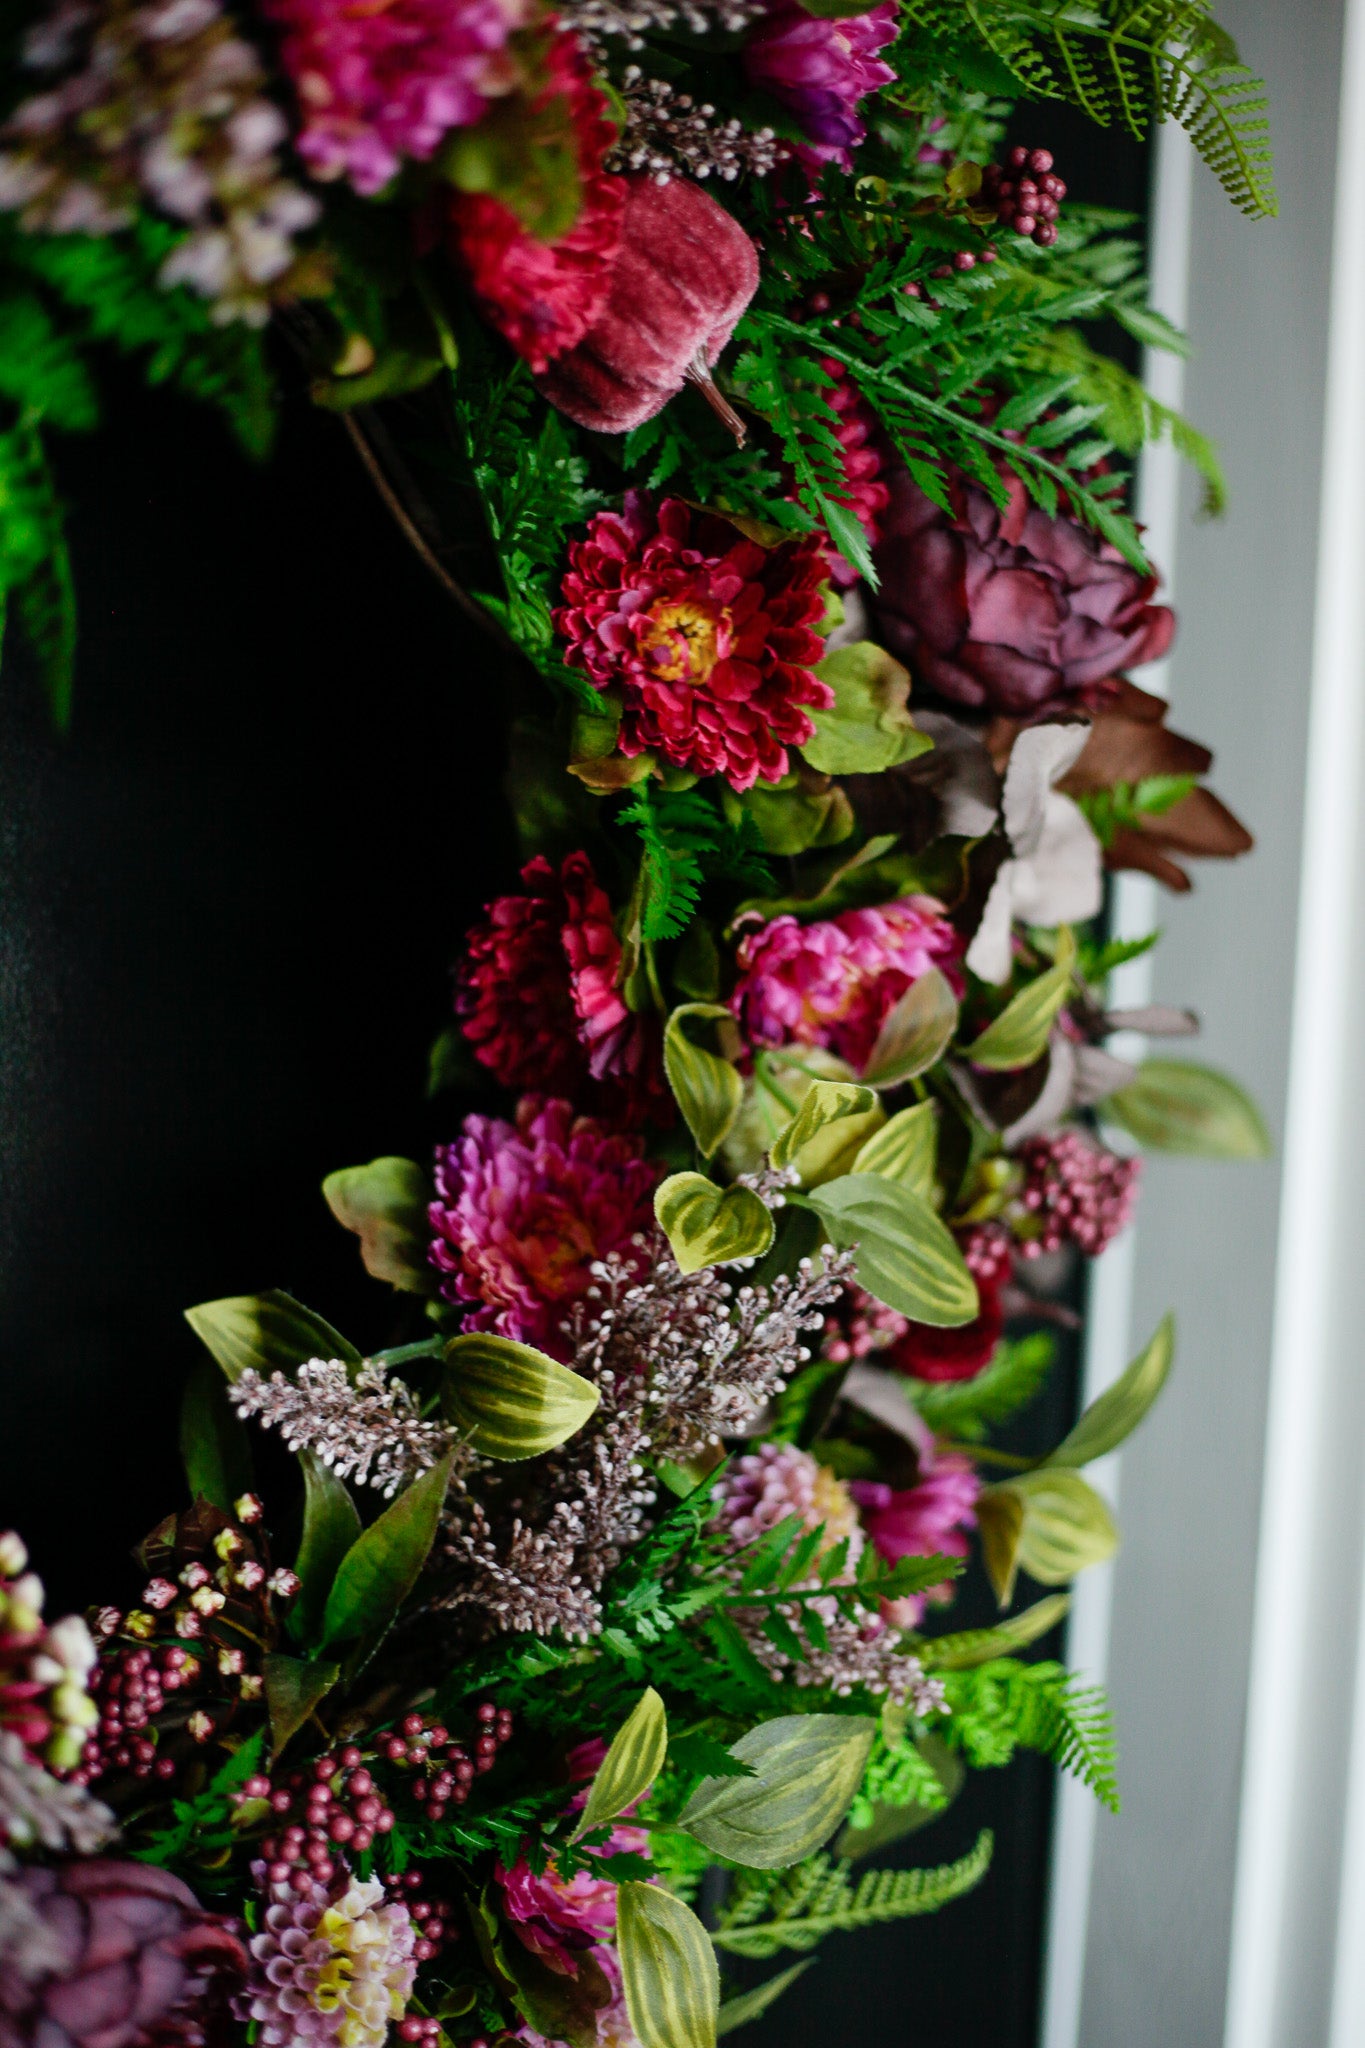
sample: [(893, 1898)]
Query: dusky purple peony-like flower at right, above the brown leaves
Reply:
[(1010, 611)]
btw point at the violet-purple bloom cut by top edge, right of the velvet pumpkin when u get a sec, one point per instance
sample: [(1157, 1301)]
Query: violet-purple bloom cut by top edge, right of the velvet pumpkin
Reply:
[(822, 71)]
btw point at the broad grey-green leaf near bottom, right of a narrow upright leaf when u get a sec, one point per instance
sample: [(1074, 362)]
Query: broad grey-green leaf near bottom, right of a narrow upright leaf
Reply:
[(805, 1775)]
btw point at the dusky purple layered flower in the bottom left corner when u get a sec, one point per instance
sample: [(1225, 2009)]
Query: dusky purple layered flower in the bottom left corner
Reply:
[(130, 1957)]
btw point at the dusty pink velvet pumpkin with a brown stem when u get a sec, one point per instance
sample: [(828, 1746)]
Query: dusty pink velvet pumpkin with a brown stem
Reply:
[(682, 278)]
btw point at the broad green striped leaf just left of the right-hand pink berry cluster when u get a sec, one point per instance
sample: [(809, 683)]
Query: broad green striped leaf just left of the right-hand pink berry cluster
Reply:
[(906, 1254)]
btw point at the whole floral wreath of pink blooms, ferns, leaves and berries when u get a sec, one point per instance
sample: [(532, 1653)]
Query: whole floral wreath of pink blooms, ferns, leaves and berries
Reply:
[(734, 370)]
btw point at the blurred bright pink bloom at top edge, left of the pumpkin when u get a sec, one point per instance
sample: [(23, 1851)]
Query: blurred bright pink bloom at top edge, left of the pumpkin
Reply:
[(388, 83)]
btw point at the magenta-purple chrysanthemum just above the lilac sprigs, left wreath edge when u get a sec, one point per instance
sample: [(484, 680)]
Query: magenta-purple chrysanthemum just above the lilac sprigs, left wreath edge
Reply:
[(523, 1213)]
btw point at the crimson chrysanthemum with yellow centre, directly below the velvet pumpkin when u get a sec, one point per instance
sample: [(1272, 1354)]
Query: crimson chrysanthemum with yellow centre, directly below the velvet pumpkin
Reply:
[(707, 636)]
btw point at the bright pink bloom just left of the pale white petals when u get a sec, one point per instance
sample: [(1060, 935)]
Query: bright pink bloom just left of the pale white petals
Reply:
[(834, 982)]
